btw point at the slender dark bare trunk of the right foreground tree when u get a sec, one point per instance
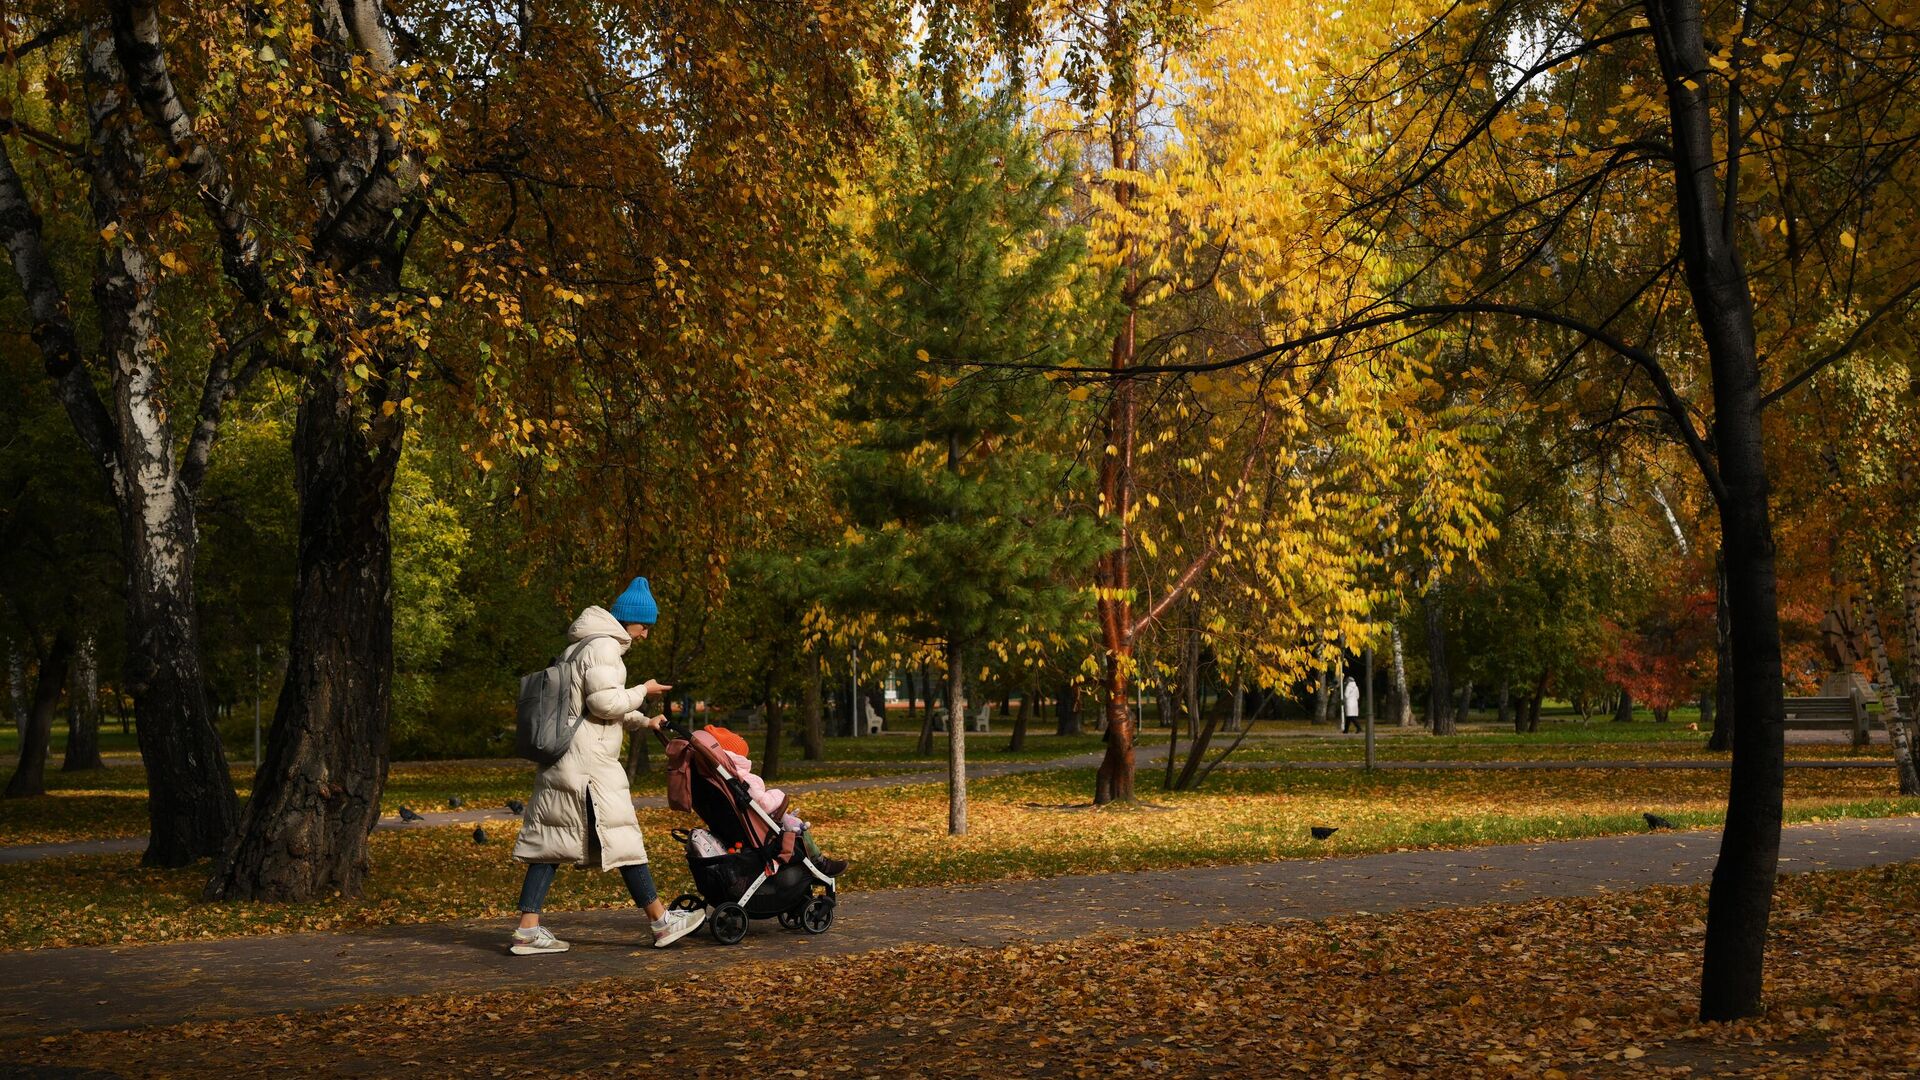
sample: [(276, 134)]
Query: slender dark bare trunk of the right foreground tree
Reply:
[(1740, 898)]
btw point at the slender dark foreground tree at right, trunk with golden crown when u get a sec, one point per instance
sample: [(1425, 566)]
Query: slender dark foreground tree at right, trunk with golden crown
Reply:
[(1595, 182)]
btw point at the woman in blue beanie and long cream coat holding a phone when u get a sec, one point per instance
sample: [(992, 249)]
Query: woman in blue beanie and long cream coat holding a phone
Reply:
[(583, 810)]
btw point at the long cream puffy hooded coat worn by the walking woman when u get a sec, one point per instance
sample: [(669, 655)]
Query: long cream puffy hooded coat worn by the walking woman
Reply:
[(556, 823)]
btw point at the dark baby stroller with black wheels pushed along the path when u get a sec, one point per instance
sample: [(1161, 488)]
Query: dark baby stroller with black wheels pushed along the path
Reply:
[(744, 864)]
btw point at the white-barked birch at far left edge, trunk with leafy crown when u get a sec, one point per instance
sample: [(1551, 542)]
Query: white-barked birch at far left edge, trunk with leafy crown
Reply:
[(145, 397)]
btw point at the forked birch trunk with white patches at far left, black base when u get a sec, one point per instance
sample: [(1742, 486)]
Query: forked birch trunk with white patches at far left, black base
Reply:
[(191, 800)]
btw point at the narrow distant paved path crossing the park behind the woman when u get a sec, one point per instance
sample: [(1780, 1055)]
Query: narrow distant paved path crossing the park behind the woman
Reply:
[(1145, 756)]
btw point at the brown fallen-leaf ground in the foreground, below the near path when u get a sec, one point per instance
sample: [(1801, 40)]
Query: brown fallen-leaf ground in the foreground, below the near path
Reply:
[(1595, 987)]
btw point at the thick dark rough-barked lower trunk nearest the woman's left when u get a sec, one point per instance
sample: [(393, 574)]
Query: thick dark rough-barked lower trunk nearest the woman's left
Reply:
[(318, 791)]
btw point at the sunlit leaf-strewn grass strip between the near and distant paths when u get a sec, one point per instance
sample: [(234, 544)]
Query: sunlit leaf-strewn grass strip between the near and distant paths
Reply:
[(1022, 827)]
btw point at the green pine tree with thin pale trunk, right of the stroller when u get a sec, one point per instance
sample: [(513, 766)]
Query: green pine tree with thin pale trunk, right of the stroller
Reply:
[(957, 487)]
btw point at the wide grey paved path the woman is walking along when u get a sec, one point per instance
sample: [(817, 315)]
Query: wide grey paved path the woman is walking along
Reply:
[(57, 991)]
